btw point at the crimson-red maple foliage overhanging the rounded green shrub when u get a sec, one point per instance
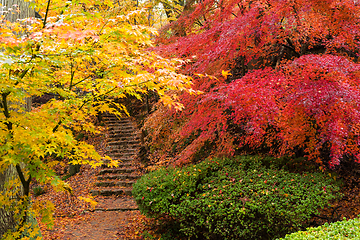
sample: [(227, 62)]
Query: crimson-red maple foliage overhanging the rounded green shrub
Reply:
[(278, 77)]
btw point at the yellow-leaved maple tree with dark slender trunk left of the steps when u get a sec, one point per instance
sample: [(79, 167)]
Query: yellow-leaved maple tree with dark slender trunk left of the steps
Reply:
[(85, 54)]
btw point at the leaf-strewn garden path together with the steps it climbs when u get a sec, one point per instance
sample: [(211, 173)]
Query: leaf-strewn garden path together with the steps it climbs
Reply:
[(111, 188)]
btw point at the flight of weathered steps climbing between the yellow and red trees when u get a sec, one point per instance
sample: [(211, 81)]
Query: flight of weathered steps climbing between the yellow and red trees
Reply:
[(123, 144)]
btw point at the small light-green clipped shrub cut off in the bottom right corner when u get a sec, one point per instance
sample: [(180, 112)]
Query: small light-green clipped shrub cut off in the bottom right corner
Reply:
[(349, 229)]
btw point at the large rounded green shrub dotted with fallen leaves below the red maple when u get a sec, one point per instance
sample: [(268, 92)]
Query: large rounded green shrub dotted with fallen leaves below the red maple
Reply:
[(233, 198)]
